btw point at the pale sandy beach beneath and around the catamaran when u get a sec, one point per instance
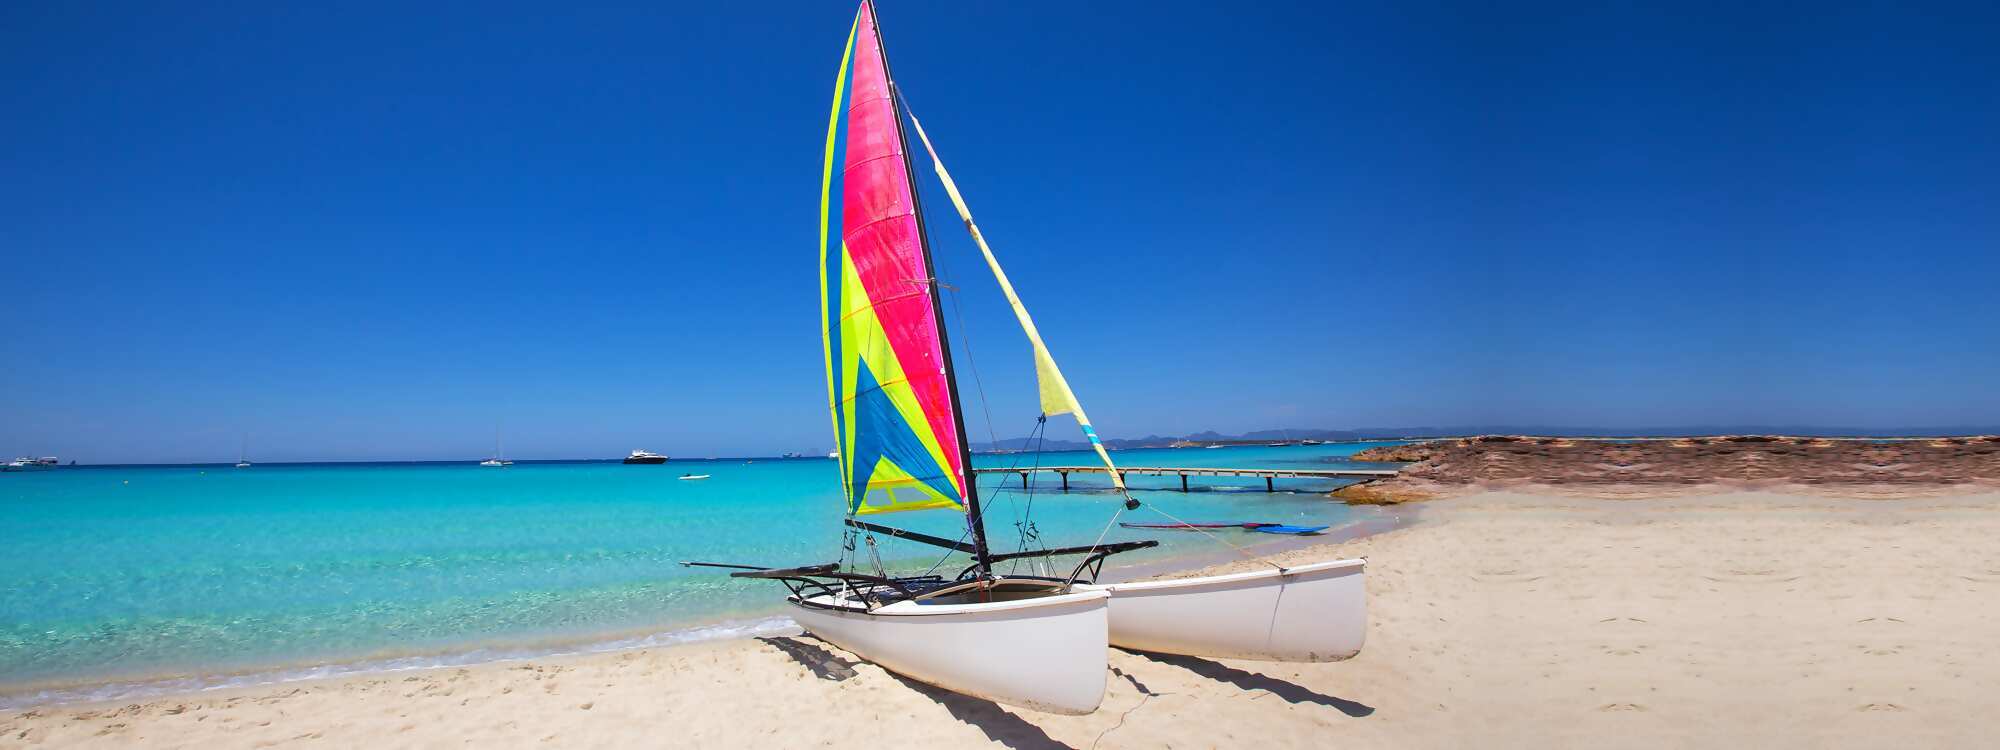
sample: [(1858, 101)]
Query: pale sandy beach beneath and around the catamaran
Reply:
[(1503, 619)]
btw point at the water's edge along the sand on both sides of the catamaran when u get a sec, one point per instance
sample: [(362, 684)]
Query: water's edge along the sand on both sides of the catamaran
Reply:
[(89, 693)]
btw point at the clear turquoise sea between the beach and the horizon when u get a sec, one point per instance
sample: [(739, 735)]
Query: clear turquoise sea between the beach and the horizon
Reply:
[(131, 581)]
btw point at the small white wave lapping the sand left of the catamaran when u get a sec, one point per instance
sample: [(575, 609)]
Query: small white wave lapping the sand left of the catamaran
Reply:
[(185, 685)]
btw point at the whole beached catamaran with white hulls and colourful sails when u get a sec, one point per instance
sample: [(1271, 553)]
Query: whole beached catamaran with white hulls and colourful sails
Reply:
[(1037, 639)]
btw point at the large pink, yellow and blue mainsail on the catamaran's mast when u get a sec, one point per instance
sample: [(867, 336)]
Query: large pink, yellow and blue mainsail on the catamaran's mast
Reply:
[(895, 421)]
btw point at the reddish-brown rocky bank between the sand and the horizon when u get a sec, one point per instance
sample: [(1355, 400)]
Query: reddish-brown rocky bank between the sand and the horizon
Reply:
[(1669, 467)]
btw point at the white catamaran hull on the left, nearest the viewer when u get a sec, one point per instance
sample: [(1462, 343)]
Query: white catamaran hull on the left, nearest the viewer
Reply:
[(1043, 653)]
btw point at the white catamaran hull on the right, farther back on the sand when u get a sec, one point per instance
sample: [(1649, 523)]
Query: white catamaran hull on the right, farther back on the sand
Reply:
[(1315, 613)]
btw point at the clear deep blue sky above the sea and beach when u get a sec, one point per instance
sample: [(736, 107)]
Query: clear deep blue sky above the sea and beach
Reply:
[(375, 231)]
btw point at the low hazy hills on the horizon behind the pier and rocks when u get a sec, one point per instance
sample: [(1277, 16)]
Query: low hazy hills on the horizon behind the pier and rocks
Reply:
[(1211, 437)]
